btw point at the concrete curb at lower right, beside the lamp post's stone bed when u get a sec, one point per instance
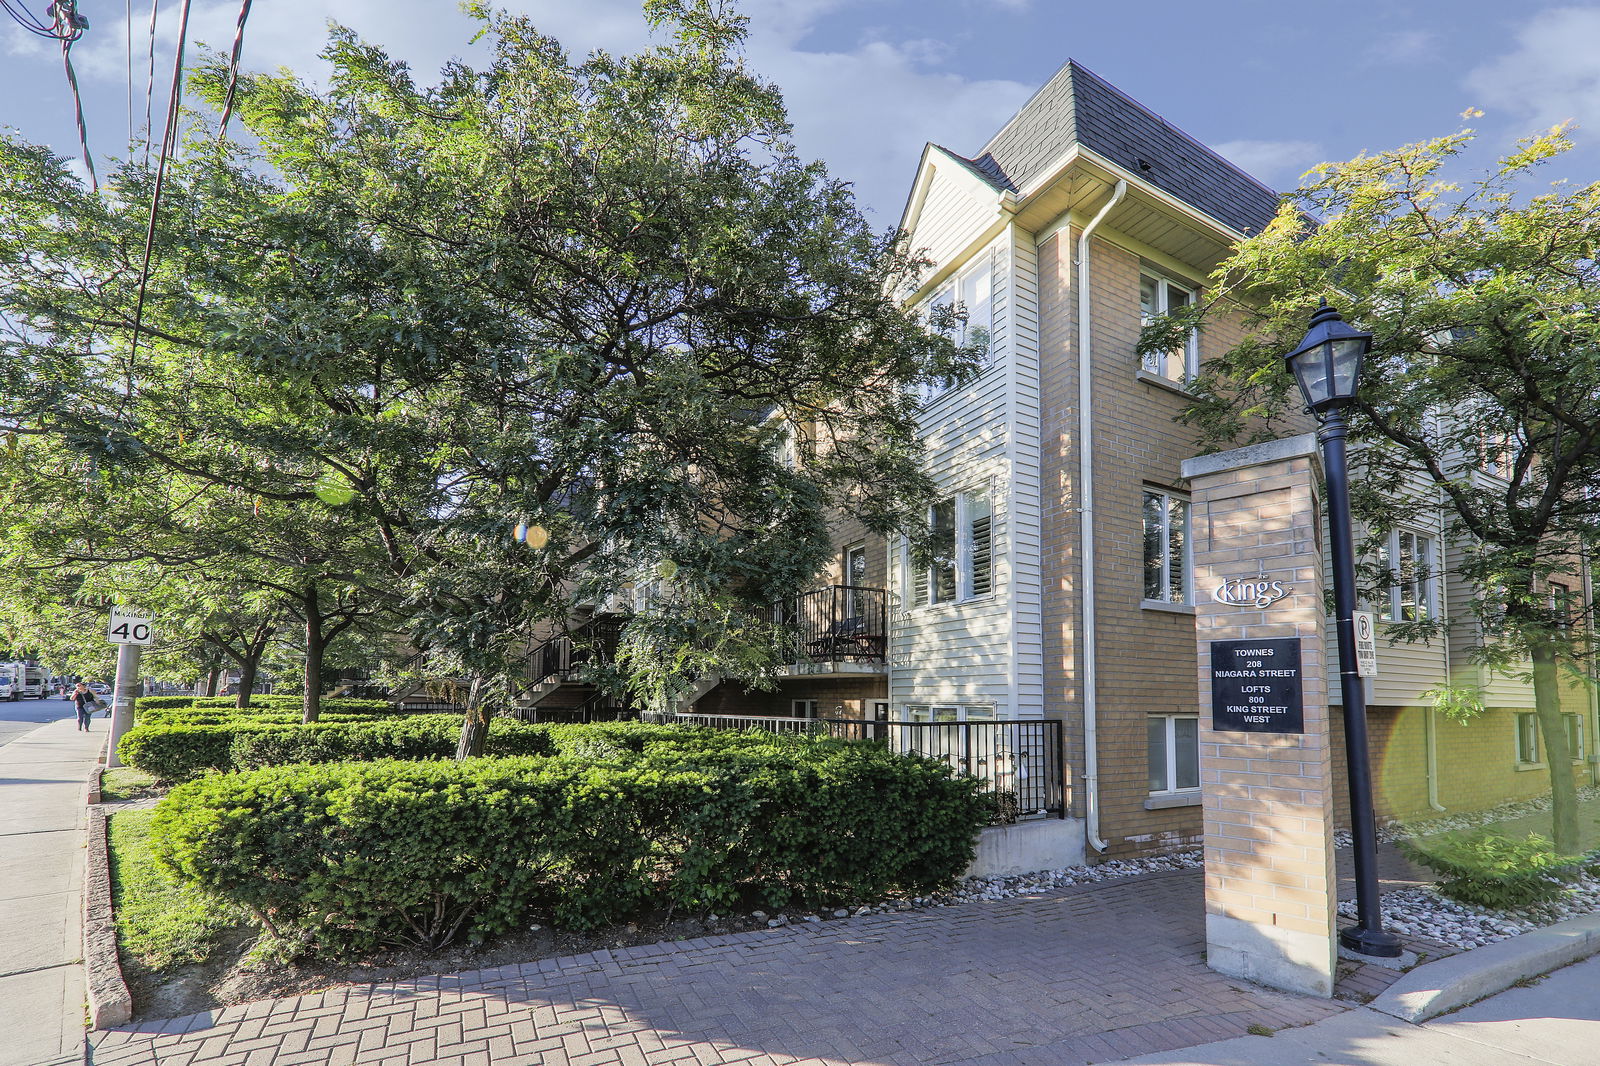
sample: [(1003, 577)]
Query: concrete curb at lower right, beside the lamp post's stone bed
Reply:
[(1442, 987)]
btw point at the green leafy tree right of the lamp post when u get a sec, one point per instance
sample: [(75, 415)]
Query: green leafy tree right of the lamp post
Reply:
[(1482, 388)]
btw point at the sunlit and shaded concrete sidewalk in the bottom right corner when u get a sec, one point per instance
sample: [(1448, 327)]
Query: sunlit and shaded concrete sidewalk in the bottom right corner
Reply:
[(1553, 1022)]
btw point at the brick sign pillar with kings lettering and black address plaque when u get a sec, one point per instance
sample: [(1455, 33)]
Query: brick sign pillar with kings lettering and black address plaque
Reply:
[(1265, 745)]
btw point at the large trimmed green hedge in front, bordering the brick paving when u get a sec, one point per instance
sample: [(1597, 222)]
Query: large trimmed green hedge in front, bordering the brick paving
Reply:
[(350, 857)]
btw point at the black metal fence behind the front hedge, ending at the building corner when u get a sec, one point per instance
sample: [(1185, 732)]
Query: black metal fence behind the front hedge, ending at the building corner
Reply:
[(1018, 763)]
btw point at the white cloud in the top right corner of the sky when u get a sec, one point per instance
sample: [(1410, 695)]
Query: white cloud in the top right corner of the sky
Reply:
[(1553, 74)]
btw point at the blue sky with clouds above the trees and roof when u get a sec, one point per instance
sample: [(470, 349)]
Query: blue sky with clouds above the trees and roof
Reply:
[(1273, 84)]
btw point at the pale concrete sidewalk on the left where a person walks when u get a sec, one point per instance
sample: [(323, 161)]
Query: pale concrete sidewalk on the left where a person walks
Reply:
[(42, 820)]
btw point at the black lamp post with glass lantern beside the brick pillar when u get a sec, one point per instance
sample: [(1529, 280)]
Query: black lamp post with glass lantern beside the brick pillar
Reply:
[(1327, 367)]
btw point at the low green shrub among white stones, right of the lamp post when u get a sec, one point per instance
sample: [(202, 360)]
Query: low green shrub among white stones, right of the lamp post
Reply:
[(1494, 872)]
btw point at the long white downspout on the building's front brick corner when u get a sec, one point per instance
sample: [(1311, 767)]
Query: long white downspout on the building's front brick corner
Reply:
[(1087, 526)]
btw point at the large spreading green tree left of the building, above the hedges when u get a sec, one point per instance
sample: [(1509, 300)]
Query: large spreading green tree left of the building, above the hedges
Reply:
[(593, 303)]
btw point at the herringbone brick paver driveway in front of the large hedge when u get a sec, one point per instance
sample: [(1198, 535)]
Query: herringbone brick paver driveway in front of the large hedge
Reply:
[(1087, 974)]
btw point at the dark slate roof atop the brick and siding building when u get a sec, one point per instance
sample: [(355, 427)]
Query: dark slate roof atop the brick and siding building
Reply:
[(1079, 106)]
